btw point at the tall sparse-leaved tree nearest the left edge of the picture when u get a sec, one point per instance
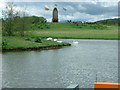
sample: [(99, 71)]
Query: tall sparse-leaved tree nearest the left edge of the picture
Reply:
[(8, 19)]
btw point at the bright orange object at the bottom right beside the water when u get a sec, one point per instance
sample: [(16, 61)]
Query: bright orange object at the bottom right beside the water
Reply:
[(107, 85)]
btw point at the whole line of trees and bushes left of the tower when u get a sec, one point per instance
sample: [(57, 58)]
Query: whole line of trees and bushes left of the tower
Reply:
[(17, 22)]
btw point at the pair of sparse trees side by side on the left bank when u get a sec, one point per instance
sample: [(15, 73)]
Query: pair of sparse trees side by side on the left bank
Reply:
[(12, 21)]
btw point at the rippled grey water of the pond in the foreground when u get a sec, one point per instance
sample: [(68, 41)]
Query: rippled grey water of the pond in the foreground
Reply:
[(81, 64)]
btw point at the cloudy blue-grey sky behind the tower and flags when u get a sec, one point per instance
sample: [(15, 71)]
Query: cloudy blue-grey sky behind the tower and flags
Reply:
[(90, 10)]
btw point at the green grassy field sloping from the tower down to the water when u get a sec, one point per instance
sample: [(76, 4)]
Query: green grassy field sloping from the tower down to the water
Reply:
[(70, 30)]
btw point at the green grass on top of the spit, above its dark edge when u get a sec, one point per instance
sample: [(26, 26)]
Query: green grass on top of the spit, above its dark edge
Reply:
[(14, 42)]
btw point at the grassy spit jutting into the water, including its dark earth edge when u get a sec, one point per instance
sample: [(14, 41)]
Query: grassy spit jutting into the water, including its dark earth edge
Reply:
[(12, 43)]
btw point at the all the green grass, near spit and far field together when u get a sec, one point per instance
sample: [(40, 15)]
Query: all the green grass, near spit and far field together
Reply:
[(59, 30)]
